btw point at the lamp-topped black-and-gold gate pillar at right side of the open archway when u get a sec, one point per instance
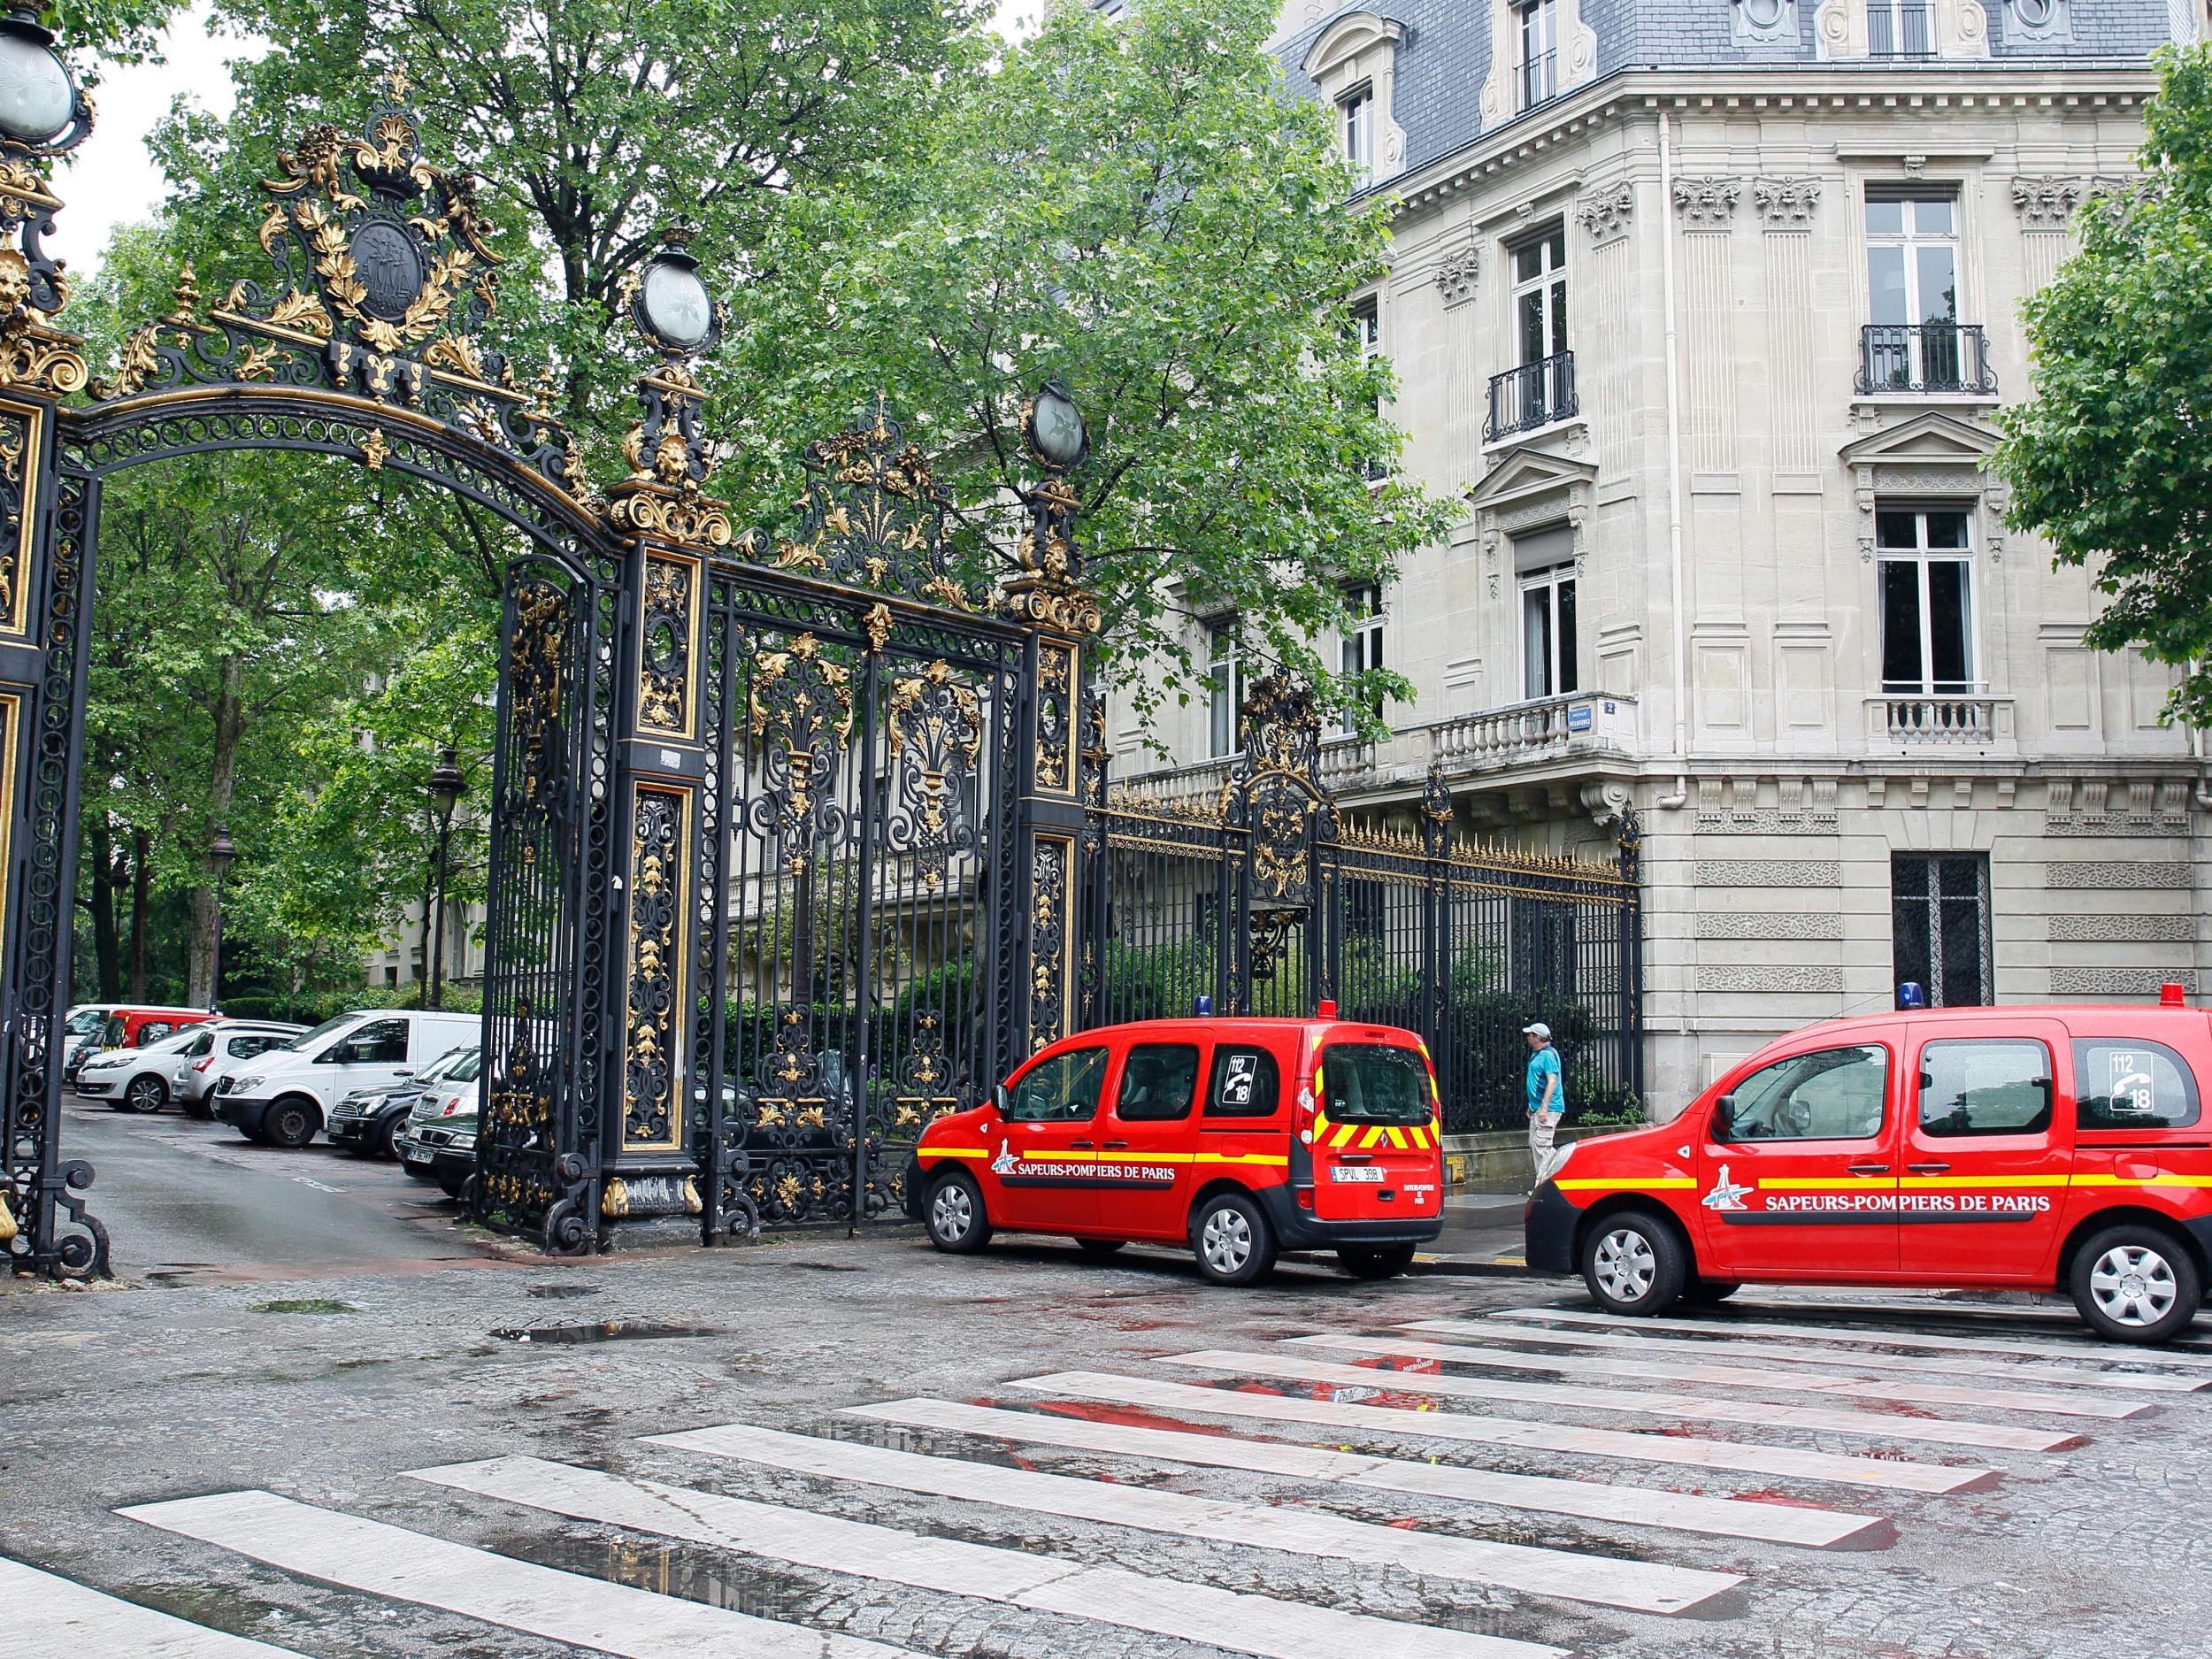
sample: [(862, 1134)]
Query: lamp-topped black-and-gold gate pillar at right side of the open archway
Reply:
[(667, 912)]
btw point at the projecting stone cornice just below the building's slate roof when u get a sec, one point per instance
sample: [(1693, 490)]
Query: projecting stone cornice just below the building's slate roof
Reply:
[(1837, 90)]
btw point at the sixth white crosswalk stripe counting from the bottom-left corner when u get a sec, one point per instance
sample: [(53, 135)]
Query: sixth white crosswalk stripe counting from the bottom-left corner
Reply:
[(1788, 1463)]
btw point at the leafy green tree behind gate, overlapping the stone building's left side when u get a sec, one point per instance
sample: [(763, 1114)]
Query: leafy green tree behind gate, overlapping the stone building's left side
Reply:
[(1142, 211)]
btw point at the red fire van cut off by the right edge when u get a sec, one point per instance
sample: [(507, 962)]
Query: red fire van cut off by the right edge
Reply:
[(2023, 1149)]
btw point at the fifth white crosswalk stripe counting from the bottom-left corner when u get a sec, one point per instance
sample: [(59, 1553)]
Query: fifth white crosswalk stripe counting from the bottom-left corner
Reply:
[(1634, 1505)]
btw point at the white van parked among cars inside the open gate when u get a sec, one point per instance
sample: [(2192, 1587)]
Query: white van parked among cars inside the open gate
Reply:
[(289, 1094)]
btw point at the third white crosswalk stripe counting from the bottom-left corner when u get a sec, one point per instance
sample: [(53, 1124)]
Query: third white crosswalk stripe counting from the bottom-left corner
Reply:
[(1019, 1578)]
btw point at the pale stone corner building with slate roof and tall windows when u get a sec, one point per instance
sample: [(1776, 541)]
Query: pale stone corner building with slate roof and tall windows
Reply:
[(1709, 311)]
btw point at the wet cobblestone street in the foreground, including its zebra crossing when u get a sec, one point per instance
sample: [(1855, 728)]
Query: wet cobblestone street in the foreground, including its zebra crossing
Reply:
[(1987, 1485)]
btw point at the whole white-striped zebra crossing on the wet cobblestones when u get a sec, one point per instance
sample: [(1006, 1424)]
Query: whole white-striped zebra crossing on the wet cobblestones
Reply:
[(1129, 1488)]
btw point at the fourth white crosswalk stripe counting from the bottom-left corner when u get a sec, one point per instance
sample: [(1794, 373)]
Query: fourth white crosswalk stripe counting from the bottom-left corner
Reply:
[(1519, 1567)]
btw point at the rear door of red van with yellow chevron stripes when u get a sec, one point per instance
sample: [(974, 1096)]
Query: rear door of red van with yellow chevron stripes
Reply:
[(1377, 1154)]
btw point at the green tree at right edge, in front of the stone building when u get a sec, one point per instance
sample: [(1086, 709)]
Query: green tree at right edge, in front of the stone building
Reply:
[(2111, 461)]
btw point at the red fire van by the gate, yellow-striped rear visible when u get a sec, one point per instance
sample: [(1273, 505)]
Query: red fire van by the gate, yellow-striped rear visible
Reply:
[(1238, 1138)]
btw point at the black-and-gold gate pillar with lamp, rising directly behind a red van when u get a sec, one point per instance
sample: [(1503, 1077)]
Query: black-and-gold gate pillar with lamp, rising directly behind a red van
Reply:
[(1050, 808)]
